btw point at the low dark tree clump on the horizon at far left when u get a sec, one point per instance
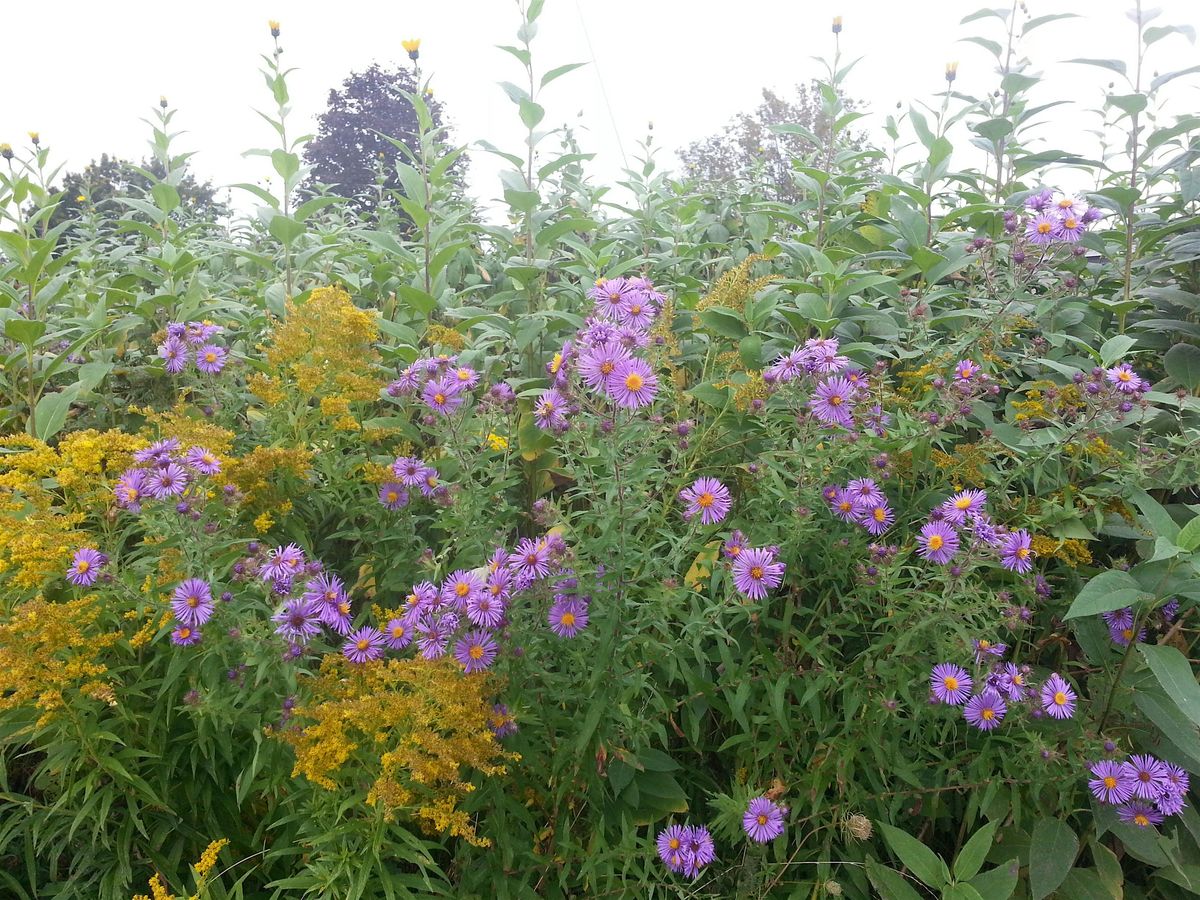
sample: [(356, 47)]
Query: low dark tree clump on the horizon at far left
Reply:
[(100, 184)]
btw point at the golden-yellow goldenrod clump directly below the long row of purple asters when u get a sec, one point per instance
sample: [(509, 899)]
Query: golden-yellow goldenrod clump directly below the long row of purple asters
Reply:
[(411, 724)]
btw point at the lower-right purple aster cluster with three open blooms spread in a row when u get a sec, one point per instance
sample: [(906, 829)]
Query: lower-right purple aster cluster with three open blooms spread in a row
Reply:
[(1004, 686)]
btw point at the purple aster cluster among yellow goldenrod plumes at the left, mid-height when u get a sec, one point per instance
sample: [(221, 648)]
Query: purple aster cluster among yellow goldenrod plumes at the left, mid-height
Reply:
[(167, 472)]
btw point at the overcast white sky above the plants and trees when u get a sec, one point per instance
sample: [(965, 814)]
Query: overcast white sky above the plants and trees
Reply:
[(85, 74)]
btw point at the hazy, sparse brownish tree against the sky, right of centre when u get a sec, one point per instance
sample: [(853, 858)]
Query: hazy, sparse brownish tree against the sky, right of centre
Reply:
[(748, 148)]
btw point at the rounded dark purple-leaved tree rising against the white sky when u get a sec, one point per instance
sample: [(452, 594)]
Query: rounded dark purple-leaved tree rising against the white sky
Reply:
[(350, 155)]
